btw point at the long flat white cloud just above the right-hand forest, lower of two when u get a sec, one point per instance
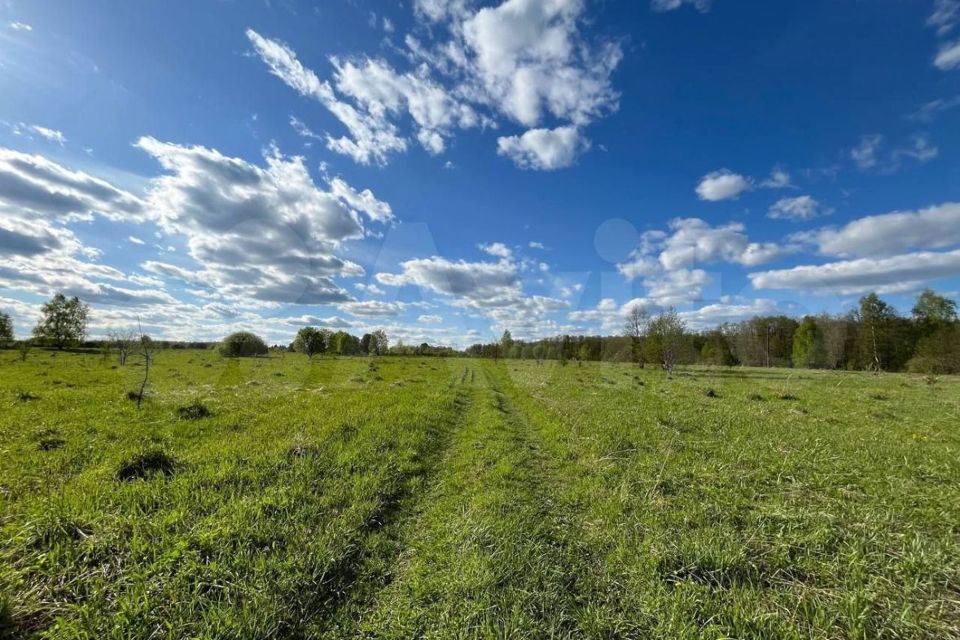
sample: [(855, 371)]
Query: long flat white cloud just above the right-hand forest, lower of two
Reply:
[(885, 275)]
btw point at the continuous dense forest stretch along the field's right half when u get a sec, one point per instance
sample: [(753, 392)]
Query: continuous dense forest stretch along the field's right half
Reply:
[(873, 337)]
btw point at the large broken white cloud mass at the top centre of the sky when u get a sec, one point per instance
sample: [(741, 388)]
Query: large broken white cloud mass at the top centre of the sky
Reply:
[(525, 60)]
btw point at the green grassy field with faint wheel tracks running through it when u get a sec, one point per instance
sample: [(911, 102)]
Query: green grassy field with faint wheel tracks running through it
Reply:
[(407, 497)]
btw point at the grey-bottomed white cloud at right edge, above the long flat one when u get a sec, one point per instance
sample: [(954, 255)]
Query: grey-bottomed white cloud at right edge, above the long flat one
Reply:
[(887, 234)]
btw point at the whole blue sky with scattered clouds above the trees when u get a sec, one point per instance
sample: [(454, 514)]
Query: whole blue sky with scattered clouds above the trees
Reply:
[(447, 169)]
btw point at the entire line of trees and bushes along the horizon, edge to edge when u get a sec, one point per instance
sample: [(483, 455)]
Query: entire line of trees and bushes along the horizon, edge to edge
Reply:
[(872, 337)]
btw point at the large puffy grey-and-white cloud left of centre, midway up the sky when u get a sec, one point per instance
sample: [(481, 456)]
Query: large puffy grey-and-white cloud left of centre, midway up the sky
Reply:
[(268, 233)]
